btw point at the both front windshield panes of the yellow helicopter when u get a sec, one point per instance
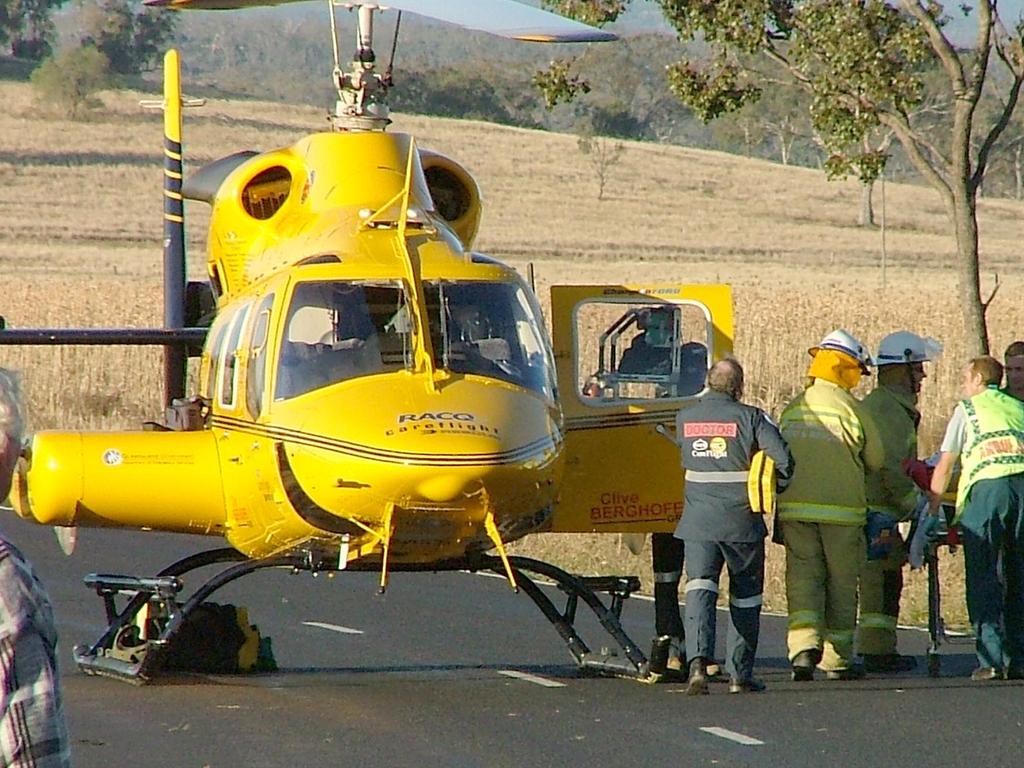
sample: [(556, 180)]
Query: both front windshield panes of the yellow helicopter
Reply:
[(340, 330)]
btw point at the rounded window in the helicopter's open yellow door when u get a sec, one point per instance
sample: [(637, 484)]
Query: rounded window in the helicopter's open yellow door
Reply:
[(642, 351)]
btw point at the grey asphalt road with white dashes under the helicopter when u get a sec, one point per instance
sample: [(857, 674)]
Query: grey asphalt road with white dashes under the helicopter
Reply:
[(421, 677)]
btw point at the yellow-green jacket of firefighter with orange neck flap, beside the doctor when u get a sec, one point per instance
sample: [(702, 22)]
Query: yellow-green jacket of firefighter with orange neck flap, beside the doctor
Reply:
[(834, 443)]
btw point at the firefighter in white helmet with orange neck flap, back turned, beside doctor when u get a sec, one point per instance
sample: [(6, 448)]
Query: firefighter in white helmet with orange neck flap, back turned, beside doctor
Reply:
[(823, 513)]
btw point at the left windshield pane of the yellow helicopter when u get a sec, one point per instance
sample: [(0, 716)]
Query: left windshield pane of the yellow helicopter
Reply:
[(338, 330)]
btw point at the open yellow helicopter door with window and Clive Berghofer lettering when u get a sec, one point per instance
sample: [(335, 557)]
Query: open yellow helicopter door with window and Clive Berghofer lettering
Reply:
[(628, 358)]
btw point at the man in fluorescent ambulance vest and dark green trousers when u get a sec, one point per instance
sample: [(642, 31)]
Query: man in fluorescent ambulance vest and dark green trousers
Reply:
[(987, 435)]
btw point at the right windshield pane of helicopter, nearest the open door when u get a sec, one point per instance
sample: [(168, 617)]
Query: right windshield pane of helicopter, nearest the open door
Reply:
[(490, 329)]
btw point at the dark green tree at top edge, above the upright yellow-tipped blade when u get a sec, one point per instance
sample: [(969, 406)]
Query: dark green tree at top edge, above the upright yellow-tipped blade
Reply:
[(133, 39)]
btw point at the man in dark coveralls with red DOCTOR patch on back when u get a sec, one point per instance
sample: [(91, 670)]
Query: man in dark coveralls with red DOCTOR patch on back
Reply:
[(719, 437)]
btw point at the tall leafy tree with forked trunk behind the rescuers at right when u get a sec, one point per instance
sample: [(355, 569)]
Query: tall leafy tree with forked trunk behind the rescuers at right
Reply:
[(868, 64)]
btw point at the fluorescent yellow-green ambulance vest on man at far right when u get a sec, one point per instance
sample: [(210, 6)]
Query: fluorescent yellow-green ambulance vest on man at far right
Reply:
[(995, 445)]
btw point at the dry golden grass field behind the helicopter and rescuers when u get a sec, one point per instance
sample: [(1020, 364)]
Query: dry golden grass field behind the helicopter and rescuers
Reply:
[(80, 235)]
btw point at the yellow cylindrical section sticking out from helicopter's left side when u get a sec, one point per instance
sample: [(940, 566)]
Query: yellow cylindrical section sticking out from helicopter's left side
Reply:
[(160, 481)]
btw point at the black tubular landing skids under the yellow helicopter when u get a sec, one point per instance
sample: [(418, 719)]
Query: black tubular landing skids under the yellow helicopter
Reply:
[(139, 634)]
